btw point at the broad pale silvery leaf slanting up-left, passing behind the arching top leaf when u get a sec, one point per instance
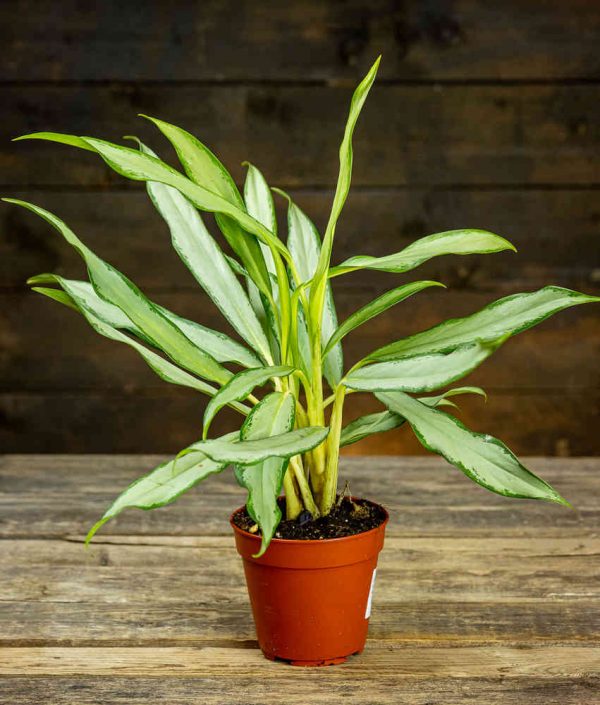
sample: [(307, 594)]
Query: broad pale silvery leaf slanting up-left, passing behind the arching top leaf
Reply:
[(205, 260)]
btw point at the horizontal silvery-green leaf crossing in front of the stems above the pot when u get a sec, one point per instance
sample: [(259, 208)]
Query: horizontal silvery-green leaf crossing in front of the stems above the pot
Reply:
[(284, 445)]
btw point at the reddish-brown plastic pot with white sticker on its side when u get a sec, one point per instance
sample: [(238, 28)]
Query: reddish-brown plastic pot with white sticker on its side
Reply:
[(311, 600)]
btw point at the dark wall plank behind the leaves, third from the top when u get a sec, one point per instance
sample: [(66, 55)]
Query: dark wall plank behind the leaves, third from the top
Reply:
[(555, 231)]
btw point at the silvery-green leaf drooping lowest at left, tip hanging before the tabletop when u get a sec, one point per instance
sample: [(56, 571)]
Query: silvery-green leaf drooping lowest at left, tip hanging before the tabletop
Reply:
[(162, 485)]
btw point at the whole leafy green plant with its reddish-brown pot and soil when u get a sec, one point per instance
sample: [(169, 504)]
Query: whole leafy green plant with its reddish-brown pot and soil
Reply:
[(310, 575)]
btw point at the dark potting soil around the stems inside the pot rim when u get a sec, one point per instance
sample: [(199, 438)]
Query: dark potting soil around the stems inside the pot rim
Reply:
[(348, 517)]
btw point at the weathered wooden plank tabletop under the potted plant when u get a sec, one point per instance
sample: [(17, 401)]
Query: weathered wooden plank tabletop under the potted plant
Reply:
[(479, 599)]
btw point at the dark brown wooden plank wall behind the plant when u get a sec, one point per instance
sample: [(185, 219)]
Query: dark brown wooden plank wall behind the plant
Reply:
[(484, 115)]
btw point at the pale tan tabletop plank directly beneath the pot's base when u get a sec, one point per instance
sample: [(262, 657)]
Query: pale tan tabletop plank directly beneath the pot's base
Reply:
[(398, 661)]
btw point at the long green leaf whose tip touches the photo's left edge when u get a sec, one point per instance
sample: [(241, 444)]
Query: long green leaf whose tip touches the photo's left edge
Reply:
[(113, 286)]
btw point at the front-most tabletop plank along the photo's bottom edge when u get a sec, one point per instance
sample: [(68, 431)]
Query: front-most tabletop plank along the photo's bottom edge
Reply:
[(309, 688)]
